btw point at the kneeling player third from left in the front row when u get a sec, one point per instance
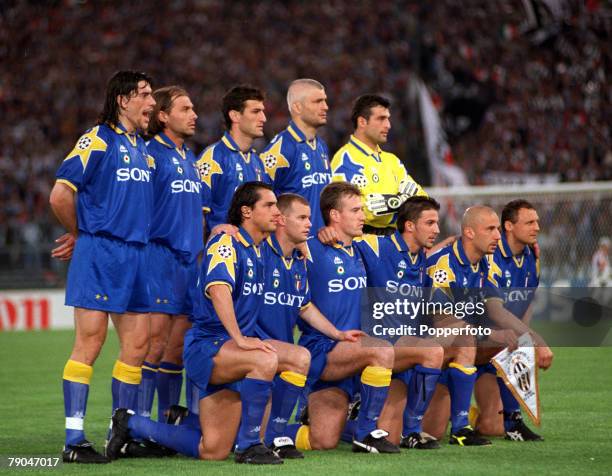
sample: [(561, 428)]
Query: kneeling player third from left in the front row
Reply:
[(337, 278)]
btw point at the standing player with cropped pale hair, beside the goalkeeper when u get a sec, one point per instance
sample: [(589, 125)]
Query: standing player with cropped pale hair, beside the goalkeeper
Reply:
[(296, 159)]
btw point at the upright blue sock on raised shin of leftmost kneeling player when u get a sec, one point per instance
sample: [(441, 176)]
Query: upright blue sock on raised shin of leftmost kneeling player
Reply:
[(254, 394)]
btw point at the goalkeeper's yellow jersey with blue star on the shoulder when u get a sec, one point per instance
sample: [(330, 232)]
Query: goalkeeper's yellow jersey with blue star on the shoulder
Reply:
[(373, 172)]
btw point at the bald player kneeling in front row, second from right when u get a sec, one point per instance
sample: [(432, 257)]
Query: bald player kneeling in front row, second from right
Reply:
[(457, 274)]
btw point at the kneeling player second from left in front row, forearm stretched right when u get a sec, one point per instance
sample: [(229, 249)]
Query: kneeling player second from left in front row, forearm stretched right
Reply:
[(287, 297)]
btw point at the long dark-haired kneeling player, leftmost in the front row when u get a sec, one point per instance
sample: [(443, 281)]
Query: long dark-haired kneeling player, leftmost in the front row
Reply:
[(232, 369)]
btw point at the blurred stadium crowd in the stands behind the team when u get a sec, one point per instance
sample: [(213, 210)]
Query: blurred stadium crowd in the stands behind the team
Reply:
[(545, 105)]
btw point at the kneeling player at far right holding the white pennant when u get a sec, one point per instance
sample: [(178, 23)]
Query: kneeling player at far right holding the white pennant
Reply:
[(513, 266)]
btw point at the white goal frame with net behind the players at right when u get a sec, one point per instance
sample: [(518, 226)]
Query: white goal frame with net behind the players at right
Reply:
[(573, 218)]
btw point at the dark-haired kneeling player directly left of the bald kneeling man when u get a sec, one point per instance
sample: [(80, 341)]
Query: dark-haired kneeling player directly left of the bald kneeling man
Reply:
[(397, 265)]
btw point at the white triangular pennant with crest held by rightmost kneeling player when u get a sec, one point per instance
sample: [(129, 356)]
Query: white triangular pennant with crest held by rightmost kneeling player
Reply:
[(519, 372)]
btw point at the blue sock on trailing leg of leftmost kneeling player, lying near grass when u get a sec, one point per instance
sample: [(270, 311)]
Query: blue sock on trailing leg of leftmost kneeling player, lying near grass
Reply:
[(183, 439)]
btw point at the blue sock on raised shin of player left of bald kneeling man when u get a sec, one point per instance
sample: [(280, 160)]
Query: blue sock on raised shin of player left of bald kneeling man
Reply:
[(420, 387)]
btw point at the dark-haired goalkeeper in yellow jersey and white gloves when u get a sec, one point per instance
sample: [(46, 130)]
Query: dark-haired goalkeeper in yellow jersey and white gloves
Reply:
[(380, 175)]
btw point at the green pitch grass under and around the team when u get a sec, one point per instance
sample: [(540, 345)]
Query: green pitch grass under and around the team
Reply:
[(576, 397)]
